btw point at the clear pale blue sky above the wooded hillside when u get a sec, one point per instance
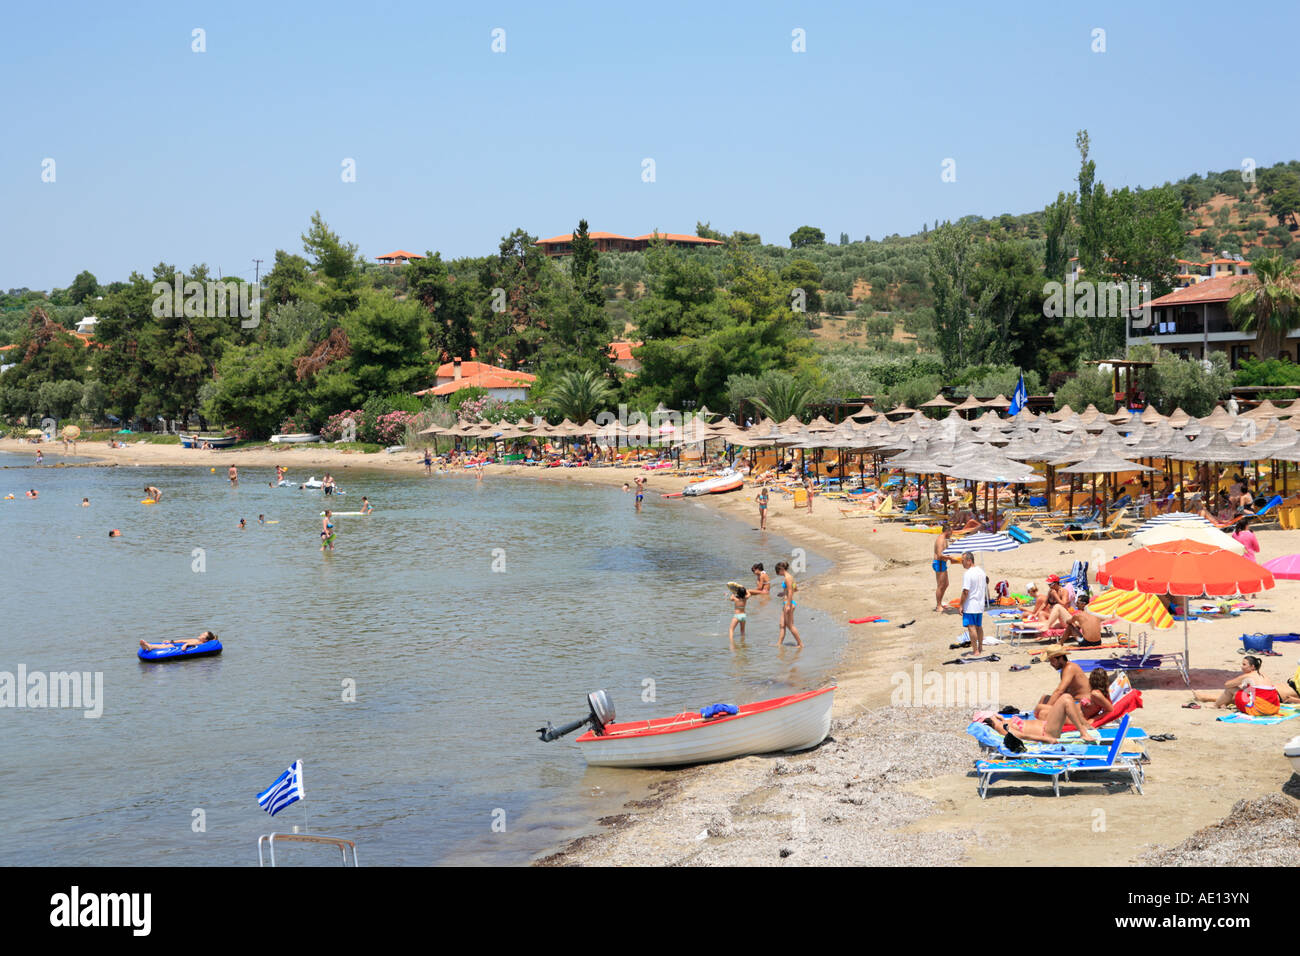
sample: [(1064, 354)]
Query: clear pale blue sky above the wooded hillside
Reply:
[(219, 158)]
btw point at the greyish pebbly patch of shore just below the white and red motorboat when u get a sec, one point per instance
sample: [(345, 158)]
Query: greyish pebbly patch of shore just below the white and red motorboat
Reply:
[(844, 803)]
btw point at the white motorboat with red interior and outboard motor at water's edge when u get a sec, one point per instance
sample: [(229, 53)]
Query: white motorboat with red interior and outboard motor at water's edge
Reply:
[(782, 725)]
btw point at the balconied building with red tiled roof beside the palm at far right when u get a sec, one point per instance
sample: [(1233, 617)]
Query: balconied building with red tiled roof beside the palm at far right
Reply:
[(1194, 322)]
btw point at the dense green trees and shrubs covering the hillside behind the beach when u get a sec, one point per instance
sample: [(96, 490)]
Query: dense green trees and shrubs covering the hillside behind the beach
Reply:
[(961, 306)]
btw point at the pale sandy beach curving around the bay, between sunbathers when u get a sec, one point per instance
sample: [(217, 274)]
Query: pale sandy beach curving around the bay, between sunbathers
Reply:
[(894, 784)]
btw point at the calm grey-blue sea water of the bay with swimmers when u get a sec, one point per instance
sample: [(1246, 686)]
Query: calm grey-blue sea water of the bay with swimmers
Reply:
[(454, 664)]
